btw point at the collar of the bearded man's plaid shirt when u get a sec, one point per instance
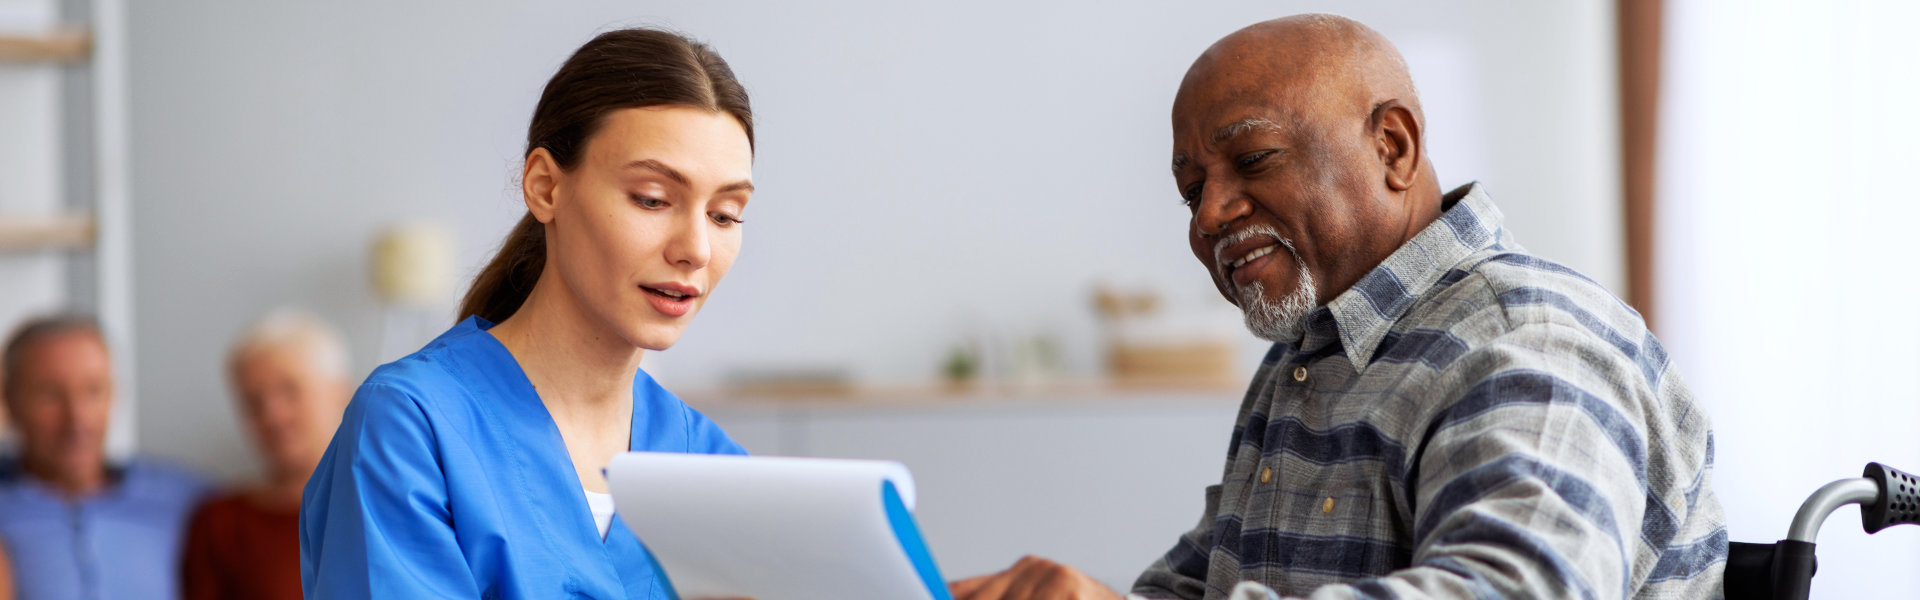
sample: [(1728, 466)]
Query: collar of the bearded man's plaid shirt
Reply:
[(1362, 316)]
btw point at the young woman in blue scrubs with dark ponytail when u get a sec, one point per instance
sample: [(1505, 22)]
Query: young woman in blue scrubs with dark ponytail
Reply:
[(473, 466)]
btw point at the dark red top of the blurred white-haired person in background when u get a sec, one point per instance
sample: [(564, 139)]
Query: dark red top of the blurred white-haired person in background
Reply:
[(237, 549)]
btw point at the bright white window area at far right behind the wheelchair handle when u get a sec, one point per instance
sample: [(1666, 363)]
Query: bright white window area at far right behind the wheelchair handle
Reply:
[(1787, 236)]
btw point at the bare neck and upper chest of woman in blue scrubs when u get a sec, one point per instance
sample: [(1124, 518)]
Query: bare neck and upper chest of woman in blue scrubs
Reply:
[(573, 361)]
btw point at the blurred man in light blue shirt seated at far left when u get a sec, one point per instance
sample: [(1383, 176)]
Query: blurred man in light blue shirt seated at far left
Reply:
[(74, 524)]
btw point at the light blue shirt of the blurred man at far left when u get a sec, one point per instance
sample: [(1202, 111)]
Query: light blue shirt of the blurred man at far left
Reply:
[(120, 543)]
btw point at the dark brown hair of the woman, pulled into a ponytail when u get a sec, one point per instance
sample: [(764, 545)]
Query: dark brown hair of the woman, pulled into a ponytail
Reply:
[(627, 68)]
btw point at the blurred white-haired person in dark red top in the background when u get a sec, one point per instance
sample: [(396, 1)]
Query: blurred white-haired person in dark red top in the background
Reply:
[(289, 376)]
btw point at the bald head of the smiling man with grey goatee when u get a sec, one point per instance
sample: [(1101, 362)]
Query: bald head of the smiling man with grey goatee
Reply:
[(1301, 134)]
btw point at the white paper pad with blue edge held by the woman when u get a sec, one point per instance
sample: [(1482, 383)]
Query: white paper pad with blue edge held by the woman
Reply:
[(777, 528)]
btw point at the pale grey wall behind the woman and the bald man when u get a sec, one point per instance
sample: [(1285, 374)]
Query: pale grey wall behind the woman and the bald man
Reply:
[(923, 168)]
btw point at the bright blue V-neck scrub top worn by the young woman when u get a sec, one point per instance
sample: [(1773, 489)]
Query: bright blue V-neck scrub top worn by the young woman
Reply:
[(448, 480)]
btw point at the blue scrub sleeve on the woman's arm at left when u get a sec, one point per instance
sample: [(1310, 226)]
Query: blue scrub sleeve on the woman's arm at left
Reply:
[(377, 518)]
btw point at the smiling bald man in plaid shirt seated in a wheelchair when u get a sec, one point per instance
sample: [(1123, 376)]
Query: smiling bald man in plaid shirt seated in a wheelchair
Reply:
[(1443, 414)]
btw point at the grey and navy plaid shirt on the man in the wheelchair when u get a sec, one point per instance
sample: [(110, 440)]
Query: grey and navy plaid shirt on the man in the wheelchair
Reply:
[(1466, 422)]
